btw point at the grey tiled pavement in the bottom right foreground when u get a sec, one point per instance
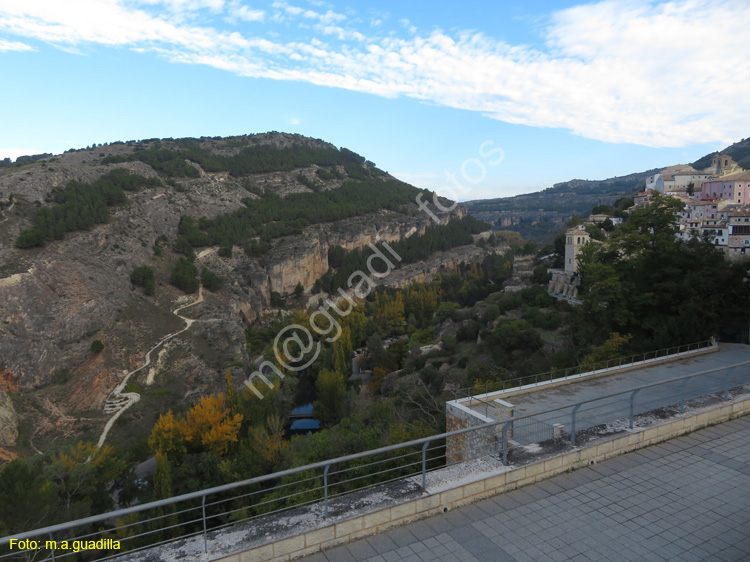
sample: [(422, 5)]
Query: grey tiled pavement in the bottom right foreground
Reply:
[(686, 499)]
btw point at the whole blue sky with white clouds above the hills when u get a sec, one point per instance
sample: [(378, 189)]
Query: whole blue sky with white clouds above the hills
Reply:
[(427, 90)]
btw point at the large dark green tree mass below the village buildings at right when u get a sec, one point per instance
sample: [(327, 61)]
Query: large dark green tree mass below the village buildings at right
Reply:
[(647, 283)]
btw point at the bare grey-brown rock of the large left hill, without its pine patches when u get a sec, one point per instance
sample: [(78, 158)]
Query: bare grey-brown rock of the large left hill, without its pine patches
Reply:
[(54, 301)]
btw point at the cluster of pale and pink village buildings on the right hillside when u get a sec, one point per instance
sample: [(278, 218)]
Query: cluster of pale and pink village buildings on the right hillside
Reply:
[(717, 210)]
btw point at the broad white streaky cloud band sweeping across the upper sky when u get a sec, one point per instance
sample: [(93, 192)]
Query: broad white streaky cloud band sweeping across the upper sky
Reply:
[(659, 74)]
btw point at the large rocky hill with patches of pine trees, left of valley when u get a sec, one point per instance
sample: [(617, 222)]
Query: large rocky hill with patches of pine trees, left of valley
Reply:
[(107, 252)]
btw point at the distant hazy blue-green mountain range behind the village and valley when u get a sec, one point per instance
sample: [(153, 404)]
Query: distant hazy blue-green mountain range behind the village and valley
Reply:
[(541, 215)]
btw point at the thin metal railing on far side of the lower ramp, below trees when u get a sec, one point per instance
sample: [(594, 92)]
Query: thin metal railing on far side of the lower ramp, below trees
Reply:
[(562, 374)]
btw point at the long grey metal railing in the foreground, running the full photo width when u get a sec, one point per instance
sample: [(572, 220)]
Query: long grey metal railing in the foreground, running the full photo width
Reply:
[(317, 490)]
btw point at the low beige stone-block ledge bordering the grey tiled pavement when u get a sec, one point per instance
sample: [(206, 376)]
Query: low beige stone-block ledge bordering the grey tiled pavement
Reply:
[(431, 504)]
